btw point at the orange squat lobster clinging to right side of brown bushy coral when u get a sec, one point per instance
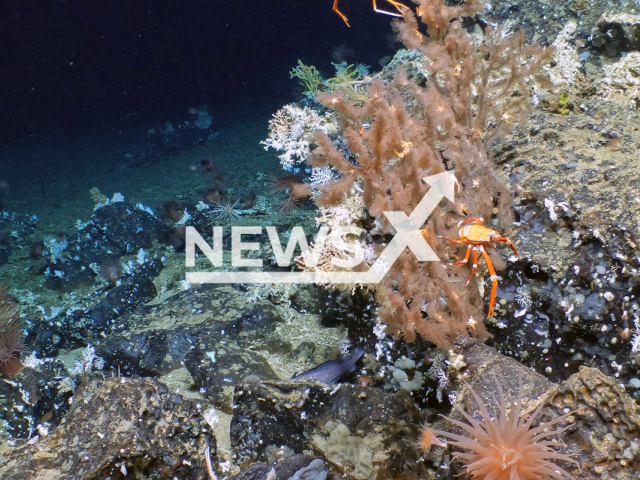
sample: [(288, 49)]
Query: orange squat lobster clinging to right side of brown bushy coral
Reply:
[(479, 238)]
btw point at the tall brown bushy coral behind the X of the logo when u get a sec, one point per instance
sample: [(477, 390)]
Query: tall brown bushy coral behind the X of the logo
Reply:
[(472, 91)]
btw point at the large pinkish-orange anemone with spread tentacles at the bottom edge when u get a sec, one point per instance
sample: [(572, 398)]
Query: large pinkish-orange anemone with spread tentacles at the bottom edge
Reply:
[(507, 447)]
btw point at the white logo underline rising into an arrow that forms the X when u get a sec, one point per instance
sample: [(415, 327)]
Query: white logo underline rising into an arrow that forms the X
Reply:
[(407, 235)]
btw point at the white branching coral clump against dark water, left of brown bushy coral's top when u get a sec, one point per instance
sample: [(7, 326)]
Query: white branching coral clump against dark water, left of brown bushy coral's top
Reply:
[(289, 129)]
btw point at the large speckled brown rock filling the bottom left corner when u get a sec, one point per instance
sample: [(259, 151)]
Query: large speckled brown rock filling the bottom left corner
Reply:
[(117, 426)]
